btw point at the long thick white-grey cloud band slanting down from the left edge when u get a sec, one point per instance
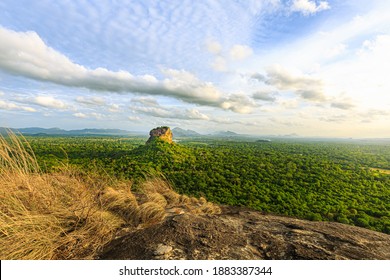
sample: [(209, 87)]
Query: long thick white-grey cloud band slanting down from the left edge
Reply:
[(26, 54)]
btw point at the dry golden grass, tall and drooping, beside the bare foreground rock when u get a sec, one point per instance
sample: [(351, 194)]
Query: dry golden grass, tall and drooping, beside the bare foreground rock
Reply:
[(72, 216)]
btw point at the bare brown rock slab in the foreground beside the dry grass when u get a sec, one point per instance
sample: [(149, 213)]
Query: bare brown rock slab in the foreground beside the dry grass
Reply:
[(244, 234)]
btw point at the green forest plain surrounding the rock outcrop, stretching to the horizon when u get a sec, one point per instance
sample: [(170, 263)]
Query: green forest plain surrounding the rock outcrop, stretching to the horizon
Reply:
[(330, 181)]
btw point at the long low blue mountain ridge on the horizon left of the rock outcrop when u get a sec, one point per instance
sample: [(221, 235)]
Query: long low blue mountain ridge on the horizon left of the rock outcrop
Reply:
[(58, 131)]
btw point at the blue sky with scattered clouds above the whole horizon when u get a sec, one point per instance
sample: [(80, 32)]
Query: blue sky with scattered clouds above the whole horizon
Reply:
[(263, 67)]
